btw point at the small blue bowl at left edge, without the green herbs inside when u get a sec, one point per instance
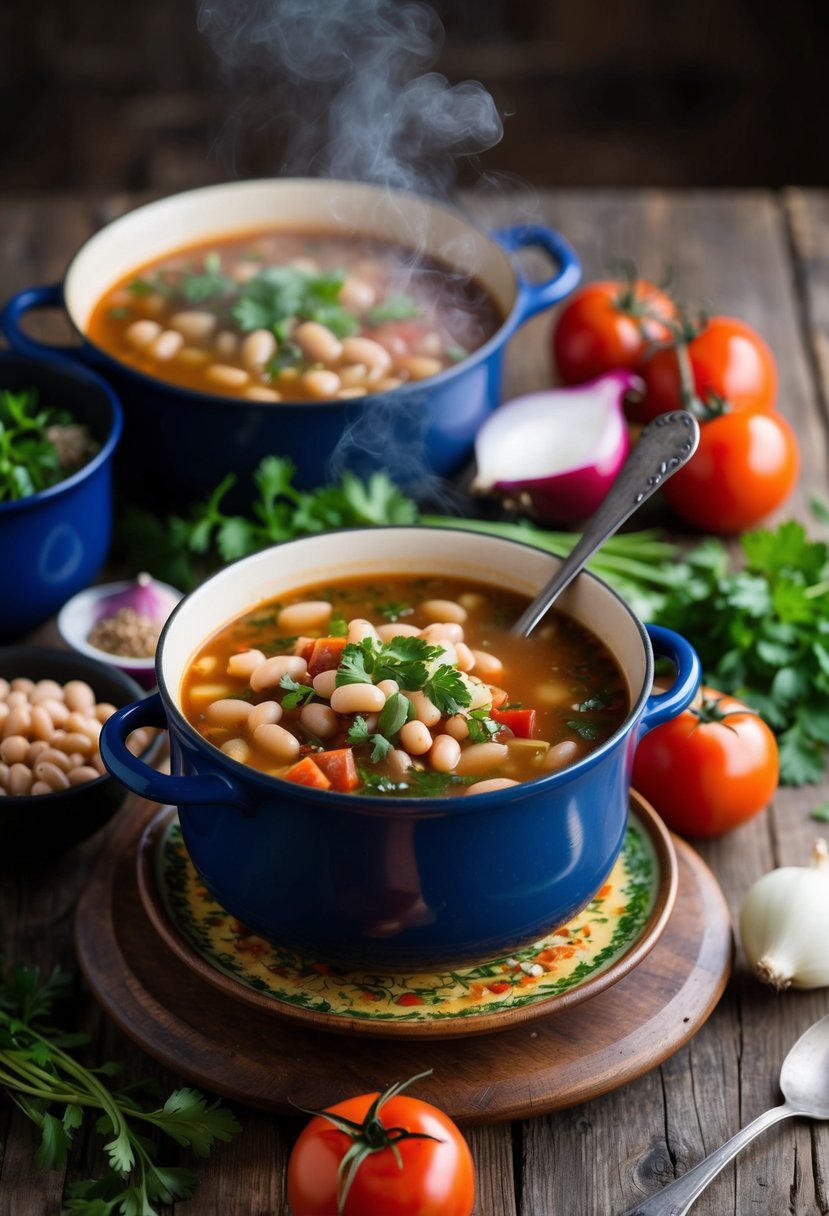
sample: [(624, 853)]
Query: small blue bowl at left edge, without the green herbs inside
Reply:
[(54, 543)]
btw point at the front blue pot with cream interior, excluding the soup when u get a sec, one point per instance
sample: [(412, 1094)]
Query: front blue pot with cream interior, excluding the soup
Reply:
[(388, 882)]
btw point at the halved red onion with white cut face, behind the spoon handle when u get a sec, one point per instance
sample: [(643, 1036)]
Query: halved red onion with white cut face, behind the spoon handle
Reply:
[(556, 454)]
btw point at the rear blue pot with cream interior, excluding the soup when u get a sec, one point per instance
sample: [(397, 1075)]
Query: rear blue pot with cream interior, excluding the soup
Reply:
[(189, 441)]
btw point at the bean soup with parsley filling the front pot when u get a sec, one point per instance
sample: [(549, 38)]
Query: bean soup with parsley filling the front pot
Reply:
[(403, 686)]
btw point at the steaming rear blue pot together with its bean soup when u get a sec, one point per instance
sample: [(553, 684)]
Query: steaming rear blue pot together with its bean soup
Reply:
[(340, 324)]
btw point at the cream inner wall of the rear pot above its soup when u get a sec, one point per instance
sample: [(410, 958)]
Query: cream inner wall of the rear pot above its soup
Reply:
[(298, 204)]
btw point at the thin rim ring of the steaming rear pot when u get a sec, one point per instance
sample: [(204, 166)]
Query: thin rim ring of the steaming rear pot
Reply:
[(218, 401)]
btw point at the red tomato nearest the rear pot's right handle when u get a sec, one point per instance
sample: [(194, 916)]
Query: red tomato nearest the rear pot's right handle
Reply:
[(610, 325)]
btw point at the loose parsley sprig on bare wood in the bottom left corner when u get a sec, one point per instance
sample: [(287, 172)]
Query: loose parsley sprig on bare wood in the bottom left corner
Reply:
[(58, 1094)]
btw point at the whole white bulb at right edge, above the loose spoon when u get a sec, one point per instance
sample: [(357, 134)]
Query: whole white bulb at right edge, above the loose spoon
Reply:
[(779, 920)]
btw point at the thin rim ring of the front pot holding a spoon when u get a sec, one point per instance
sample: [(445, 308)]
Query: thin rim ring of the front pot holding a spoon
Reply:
[(410, 808)]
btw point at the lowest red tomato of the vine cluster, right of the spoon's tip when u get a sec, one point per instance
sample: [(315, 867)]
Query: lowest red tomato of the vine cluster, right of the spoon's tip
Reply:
[(746, 466)]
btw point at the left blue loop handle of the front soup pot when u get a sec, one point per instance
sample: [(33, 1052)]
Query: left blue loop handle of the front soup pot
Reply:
[(138, 776)]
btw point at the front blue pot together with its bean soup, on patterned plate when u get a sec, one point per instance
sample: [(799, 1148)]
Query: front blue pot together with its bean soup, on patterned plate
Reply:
[(370, 769)]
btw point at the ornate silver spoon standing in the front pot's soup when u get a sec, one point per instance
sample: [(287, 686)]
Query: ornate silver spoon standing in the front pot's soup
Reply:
[(666, 446)]
